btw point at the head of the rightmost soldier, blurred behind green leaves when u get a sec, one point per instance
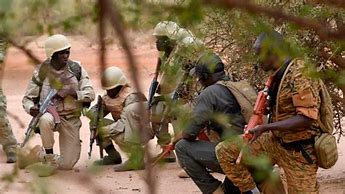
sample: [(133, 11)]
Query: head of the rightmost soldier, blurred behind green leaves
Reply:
[(271, 50)]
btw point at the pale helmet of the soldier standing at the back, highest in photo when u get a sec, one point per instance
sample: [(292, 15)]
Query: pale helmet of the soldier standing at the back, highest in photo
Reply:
[(166, 28)]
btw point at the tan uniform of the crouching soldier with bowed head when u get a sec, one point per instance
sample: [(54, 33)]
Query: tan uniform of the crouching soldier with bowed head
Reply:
[(124, 109)]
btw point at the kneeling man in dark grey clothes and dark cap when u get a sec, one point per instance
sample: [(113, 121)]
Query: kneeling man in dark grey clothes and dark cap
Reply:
[(215, 100)]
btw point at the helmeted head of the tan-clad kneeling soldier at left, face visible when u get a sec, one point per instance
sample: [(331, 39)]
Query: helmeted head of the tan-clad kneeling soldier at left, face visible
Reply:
[(57, 48)]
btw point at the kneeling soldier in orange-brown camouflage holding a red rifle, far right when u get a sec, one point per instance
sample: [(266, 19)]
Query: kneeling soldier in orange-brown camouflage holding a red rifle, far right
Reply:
[(288, 140)]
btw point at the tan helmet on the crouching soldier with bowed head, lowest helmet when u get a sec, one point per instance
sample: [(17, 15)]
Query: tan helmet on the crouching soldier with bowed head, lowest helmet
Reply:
[(113, 77)]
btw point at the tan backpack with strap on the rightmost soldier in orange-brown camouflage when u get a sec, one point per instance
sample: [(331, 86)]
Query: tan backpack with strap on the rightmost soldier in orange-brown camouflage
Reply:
[(325, 144)]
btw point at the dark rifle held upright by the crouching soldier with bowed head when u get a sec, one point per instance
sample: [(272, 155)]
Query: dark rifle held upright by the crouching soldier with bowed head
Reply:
[(94, 125)]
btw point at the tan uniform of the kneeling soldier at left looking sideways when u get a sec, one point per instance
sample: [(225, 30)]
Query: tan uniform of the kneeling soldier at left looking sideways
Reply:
[(69, 110)]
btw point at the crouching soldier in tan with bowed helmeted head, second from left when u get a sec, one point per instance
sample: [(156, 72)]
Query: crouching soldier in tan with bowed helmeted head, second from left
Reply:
[(123, 103)]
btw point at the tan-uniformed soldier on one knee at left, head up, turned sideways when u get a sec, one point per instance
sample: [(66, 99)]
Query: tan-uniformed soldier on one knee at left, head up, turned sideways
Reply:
[(74, 93)]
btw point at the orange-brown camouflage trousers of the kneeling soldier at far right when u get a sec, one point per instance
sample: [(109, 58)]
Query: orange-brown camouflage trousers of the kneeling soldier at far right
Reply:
[(300, 175)]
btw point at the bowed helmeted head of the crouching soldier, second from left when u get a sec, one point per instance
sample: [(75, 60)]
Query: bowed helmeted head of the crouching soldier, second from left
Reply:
[(113, 81)]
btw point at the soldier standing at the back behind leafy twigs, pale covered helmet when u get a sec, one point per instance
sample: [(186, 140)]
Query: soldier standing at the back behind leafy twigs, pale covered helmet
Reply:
[(178, 49)]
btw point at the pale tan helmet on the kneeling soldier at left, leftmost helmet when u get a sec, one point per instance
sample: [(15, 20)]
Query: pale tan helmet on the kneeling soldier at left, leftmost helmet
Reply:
[(55, 43)]
